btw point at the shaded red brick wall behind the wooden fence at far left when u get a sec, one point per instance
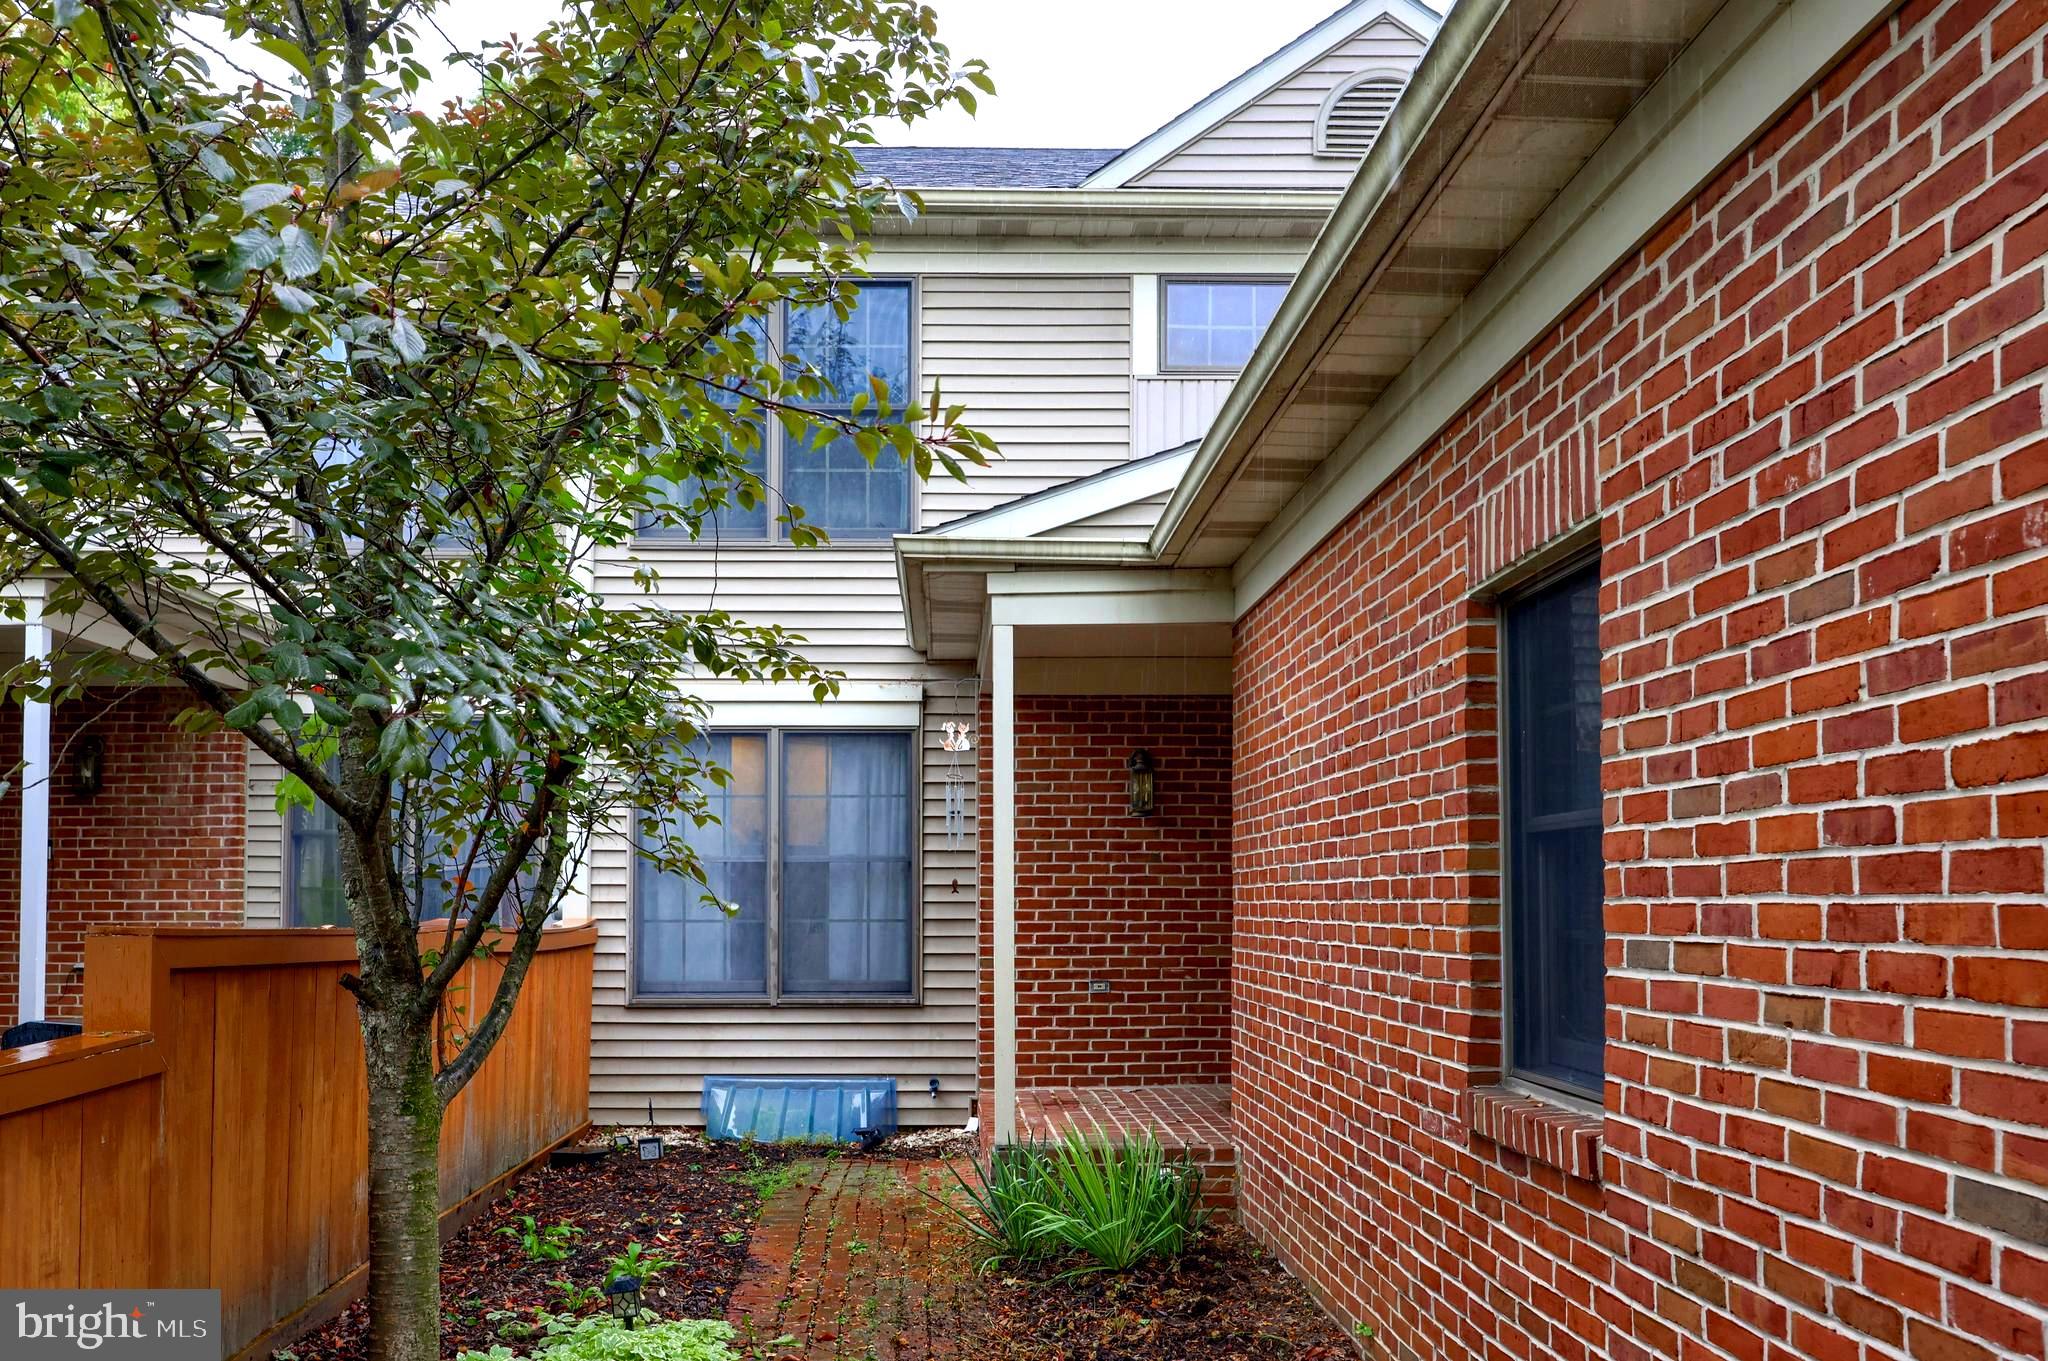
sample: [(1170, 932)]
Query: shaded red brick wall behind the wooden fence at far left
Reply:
[(163, 840)]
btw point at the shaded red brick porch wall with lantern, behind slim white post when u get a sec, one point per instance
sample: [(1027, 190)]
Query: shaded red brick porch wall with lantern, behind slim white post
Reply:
[(1138, 904)]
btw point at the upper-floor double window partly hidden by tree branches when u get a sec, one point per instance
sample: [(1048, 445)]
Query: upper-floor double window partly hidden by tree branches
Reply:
[(839, 490)]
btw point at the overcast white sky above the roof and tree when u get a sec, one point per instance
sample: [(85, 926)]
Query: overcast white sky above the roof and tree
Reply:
[(1068, 73)]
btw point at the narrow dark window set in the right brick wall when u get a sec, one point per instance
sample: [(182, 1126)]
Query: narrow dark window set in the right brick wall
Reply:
[(1555, 934)]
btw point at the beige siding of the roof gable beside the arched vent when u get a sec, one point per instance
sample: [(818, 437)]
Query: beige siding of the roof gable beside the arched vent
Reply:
[(1271, 142)]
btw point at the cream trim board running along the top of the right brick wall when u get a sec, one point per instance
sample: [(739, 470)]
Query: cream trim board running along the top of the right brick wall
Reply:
[(1746, 69)]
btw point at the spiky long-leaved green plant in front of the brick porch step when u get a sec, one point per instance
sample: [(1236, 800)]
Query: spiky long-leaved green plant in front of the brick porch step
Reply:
[(1117, 1204)]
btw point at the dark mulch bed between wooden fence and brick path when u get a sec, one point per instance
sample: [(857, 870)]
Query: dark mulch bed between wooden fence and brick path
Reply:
[(695, 1206)]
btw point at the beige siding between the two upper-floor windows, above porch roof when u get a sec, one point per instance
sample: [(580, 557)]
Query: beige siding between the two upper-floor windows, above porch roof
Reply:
[(1043, 365)]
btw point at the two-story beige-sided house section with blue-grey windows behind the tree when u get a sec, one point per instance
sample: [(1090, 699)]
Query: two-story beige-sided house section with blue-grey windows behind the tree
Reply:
[(1091, 310)]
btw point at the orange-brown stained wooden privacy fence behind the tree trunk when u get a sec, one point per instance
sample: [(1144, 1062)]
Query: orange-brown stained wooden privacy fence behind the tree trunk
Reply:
[(210, 1131)]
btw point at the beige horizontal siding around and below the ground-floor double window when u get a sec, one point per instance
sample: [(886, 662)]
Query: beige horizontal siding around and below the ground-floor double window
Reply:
[(665, 1053)]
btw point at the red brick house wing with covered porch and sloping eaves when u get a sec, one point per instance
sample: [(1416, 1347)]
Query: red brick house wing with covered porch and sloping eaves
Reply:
[(1601, 656)]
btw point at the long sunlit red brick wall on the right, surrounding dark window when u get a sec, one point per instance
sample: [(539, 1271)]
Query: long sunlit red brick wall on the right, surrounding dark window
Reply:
[(1809, 423)]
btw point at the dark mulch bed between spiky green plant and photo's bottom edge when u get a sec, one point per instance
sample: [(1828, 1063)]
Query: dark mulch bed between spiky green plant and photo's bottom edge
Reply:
[(1226, 1301)]
